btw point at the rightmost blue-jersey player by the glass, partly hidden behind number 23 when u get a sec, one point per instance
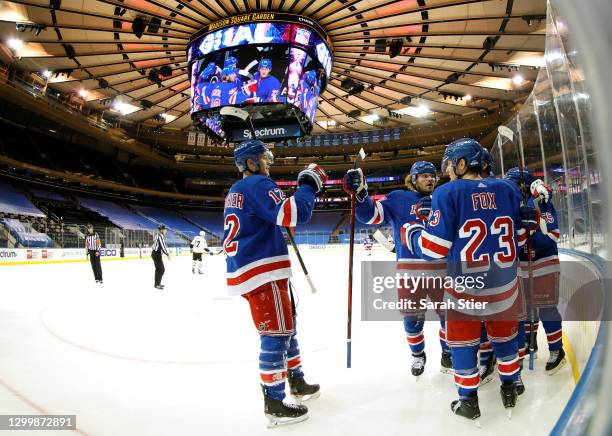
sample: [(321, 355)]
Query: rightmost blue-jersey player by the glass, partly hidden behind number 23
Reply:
[(545, 269)]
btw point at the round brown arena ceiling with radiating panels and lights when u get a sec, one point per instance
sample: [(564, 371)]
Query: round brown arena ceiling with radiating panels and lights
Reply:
[(452, 57)]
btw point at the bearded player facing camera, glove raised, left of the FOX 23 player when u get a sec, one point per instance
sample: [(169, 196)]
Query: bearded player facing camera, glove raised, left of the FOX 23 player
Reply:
[(399, 208)]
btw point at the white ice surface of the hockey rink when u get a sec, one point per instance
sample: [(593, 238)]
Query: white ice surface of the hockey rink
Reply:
[(130, 360)]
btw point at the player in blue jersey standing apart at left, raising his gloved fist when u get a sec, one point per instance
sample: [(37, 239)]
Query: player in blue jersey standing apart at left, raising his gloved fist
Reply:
[(258, 268)]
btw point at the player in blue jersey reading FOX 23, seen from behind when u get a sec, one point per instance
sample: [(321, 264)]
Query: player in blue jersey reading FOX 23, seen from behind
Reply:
[(478, 225)]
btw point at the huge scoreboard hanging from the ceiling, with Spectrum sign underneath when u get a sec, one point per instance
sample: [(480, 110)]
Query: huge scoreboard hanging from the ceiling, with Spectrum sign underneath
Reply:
[(275, 65)]
